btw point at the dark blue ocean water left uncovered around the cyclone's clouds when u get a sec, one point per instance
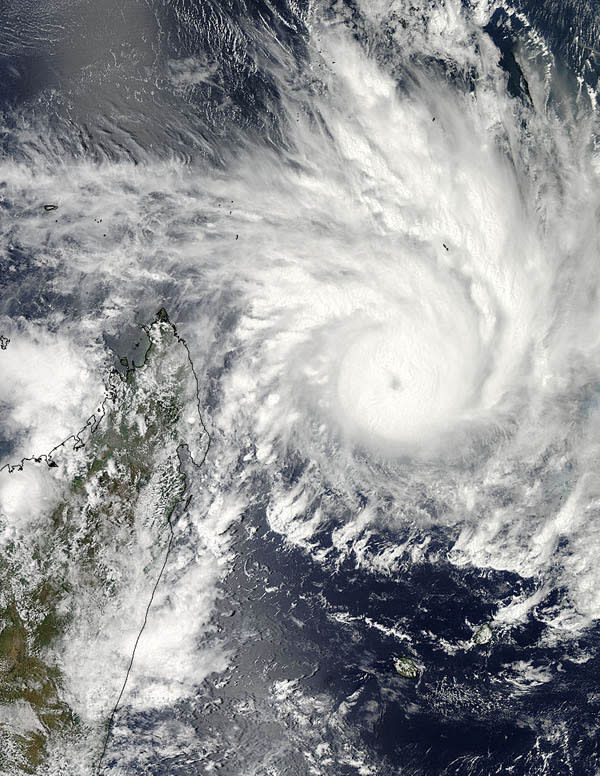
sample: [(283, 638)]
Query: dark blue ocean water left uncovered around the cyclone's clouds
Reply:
[(96, 76)]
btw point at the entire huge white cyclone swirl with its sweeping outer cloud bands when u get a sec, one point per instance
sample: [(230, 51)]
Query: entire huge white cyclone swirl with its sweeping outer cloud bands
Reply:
[(405, 304)]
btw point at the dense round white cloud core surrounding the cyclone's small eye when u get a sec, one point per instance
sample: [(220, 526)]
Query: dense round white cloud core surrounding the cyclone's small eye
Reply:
[(407, 382)]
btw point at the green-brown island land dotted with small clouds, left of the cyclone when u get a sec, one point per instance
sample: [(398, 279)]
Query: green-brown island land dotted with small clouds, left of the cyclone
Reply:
[(127, 477)]
